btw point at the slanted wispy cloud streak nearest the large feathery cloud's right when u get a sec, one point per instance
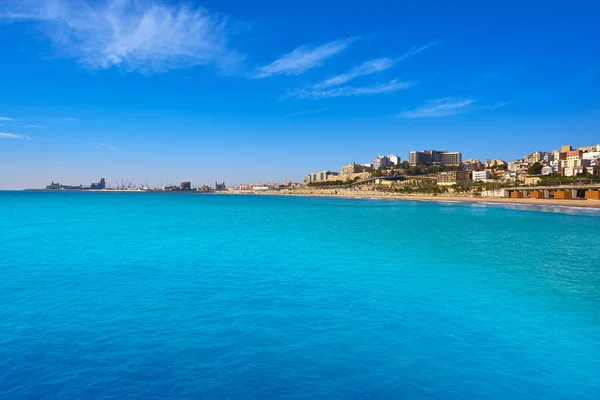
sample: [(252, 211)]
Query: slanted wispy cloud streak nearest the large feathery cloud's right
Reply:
[(302, 59)]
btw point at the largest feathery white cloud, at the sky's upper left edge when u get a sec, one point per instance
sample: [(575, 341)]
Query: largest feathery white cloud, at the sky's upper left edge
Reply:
[(144, 35)]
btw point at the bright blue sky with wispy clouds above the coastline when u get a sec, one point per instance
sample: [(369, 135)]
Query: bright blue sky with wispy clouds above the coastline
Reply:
[(267, 90)]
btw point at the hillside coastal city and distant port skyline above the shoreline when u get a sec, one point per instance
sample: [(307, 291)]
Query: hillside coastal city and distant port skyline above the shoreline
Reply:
[(449, 168)]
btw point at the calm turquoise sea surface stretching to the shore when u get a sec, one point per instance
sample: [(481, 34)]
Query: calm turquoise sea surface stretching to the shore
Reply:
[(176, 296)]
